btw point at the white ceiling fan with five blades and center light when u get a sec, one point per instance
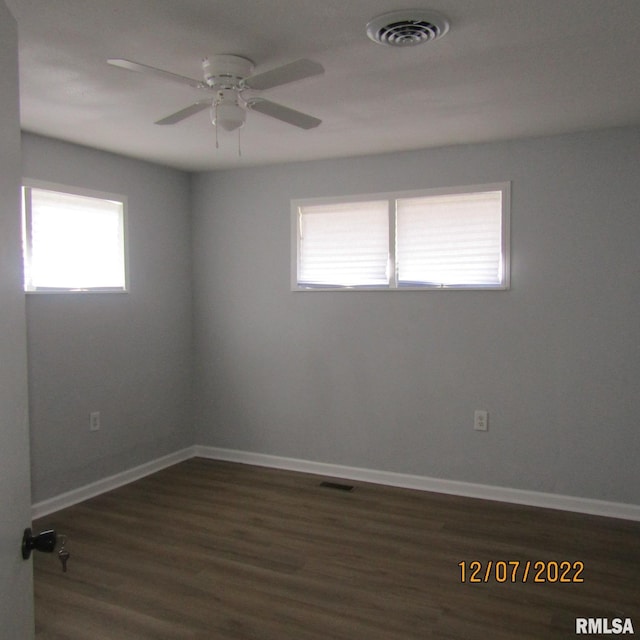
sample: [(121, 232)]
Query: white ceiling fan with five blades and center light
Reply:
[(226, 79)]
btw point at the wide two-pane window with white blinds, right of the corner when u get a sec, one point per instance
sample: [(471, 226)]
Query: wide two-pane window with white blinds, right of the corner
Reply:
[(436, 239)]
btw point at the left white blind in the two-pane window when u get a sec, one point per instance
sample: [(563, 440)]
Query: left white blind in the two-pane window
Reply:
[(344, 244)]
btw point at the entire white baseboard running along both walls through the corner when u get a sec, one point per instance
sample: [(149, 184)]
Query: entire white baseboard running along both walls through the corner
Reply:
[(406, 481)]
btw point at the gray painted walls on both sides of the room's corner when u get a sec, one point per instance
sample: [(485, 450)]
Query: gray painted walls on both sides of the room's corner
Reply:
[(381, 380)]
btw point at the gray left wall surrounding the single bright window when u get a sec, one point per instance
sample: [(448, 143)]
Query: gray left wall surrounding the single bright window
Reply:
[(125, 355)]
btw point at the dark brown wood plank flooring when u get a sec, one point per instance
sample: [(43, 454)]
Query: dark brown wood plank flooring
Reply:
[(215, 550)]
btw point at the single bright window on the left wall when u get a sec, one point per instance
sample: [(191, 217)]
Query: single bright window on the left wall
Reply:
[(73, 241)]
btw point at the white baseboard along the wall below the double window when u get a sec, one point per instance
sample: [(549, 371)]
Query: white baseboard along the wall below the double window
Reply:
[(424, 483)]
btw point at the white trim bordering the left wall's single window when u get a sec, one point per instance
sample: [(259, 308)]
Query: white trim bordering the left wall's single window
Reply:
[(29, 183)]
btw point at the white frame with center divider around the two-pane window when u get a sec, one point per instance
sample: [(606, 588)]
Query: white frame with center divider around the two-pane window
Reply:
[(391, 198)]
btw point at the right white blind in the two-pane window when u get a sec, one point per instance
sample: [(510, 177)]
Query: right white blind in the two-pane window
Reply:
[(450, 240)]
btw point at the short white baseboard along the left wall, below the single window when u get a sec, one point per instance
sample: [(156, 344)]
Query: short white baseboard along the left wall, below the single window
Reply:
[(68, 499)]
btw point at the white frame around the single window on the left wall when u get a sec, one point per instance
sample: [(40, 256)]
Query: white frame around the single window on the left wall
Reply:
[(27, 186)]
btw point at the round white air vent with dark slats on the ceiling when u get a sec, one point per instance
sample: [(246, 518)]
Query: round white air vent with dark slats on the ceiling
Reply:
[(407, 28)]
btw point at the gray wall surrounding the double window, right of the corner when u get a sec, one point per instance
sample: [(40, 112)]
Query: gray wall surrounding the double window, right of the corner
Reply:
[(390, 380)]
